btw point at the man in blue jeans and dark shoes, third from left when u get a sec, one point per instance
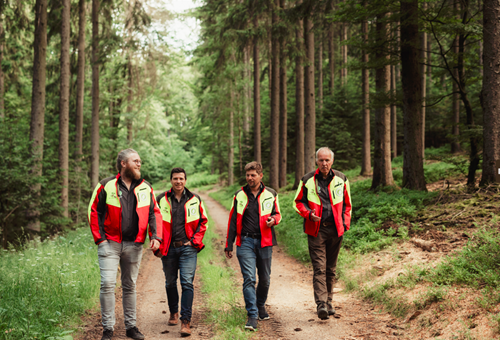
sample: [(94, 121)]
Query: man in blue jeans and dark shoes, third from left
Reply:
[(254, 213)]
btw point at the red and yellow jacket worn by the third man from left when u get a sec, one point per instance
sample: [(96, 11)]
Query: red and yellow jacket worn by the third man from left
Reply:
[(268, 207)]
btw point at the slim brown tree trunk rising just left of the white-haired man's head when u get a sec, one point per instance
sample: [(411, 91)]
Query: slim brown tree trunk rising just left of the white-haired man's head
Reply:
[(310, 102)]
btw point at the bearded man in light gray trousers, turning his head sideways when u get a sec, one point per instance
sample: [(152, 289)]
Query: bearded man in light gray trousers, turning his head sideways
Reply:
[(119, 213)]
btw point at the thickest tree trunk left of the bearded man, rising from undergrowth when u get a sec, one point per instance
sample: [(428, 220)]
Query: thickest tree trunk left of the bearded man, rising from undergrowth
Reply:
[(37, 125)]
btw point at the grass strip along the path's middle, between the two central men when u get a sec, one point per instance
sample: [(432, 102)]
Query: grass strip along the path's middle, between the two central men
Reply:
[(225, 311)]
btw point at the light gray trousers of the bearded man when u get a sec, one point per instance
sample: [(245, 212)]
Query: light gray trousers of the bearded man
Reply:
[(128, 255)]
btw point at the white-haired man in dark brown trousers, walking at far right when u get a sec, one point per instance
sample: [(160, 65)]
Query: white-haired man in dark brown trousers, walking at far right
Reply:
[(323, 199)]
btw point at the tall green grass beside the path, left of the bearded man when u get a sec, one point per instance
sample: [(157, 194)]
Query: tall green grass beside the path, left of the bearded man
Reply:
[(47, 286)]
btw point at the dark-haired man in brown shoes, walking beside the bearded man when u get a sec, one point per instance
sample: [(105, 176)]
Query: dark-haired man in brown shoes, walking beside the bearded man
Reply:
[(184, 225)]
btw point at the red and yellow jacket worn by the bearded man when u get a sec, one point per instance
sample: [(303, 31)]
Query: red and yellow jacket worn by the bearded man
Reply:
[(105, 212)]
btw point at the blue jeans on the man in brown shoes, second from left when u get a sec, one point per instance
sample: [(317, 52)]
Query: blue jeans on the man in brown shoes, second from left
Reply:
[(182, 260)]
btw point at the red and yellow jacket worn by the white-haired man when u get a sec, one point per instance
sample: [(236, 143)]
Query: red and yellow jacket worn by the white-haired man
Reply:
[(307, 201)]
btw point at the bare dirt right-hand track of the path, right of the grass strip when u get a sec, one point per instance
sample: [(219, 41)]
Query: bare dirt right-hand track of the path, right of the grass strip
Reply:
[(291, 303)]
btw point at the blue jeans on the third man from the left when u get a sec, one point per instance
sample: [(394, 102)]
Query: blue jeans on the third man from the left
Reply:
[(251, 256)]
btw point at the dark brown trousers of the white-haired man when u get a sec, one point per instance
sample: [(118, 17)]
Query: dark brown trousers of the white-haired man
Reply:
[(324, 251)]
